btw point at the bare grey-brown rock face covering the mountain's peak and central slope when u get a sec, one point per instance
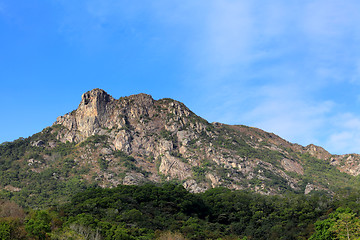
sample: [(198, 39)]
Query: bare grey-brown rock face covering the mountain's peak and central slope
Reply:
[(168, 141)]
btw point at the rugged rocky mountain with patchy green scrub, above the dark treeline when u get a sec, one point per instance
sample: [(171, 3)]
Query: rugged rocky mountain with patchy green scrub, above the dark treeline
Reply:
[(137, 139)]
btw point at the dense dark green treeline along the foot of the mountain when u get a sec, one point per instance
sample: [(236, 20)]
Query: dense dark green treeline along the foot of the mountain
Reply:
[(171, 212)]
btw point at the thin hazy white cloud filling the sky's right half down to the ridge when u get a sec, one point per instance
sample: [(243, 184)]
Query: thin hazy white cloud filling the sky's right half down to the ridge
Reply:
[(272, 64)]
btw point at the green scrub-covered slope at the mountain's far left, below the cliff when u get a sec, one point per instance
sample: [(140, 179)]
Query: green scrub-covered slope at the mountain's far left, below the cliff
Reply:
[(22, 166)]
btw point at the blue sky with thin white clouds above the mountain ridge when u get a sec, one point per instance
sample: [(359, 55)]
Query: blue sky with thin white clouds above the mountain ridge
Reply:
[(288, 67)]
